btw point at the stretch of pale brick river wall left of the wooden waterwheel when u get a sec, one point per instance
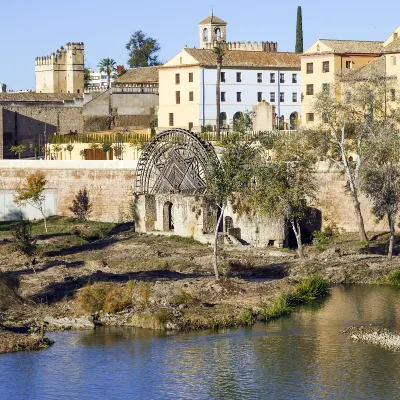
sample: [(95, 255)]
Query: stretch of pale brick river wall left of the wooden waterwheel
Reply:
[(110, 183)]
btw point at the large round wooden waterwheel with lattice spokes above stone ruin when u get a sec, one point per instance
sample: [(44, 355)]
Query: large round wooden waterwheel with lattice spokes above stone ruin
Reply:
[(174, 161)]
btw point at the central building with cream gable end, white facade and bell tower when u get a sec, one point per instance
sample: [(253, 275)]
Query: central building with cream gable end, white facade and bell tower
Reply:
[(250, 73)]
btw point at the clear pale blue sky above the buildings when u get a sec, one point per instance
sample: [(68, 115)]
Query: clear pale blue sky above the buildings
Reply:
[(36, 28)]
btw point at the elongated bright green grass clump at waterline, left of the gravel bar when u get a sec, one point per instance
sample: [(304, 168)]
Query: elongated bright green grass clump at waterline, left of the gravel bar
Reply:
[(308, 290)]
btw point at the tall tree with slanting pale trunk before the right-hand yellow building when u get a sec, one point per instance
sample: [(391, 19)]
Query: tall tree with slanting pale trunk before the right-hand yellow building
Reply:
[(350, 111)]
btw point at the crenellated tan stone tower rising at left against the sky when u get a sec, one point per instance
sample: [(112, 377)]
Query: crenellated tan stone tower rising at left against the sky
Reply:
[(62, 71)]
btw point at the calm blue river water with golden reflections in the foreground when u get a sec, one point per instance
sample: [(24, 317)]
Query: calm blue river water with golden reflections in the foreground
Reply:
[(304, 356)]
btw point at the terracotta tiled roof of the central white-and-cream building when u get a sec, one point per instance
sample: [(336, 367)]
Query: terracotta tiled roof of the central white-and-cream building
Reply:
[(238, 58)]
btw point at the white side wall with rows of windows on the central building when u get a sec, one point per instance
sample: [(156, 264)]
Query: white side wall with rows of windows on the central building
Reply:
[(249, 87)]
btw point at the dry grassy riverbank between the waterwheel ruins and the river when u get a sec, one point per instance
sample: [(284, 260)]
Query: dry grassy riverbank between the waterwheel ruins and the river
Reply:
[(108, 274)]
